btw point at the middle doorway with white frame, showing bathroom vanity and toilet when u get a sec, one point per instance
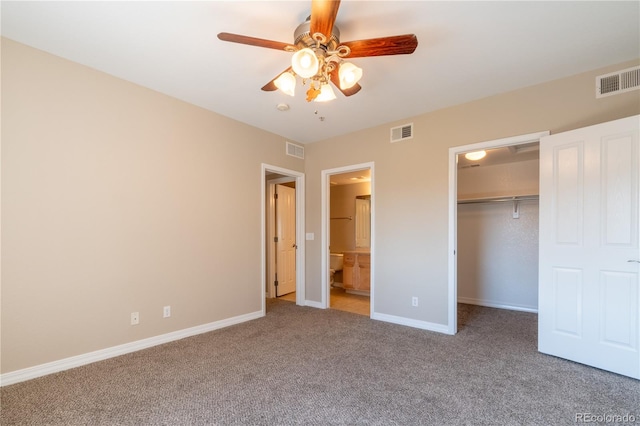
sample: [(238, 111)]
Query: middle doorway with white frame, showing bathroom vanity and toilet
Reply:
[(348, 237)]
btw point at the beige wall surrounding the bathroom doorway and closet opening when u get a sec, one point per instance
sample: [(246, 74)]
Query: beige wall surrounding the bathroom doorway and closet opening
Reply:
[(410, 184)]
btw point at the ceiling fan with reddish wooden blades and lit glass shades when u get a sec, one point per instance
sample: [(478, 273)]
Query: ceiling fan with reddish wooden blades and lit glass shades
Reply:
[(319, 55)]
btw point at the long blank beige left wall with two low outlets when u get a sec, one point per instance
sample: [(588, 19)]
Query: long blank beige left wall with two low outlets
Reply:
[(116, 199)]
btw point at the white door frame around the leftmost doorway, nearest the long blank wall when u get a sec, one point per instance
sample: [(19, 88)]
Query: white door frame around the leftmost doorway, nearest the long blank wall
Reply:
[(300, 240)]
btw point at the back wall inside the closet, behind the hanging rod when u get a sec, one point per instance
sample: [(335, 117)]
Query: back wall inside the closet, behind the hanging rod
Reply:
[(497, 253)]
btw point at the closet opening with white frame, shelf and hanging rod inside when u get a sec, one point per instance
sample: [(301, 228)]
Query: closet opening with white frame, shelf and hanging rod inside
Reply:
[(494, 226)]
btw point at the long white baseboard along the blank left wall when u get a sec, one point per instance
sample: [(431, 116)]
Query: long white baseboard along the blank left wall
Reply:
[(102, 354)]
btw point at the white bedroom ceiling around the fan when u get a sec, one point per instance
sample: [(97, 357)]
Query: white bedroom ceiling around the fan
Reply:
[(466, 51)]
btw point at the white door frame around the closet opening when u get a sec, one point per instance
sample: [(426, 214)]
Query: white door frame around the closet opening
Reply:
[(452, 326)]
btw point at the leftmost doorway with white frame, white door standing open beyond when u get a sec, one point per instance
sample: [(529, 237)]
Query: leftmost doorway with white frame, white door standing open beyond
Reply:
[(291, 182)]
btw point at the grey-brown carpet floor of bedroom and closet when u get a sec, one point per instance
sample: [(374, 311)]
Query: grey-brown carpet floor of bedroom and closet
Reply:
[(306, 366)]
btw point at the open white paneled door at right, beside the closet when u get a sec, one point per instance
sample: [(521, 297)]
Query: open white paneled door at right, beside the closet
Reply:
[(589, 253)]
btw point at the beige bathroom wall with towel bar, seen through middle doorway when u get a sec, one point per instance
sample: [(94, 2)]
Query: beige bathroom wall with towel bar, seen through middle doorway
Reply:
[(342, 203)]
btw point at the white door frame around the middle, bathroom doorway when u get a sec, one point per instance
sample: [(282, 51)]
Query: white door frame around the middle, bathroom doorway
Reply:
[(324, 262)]
